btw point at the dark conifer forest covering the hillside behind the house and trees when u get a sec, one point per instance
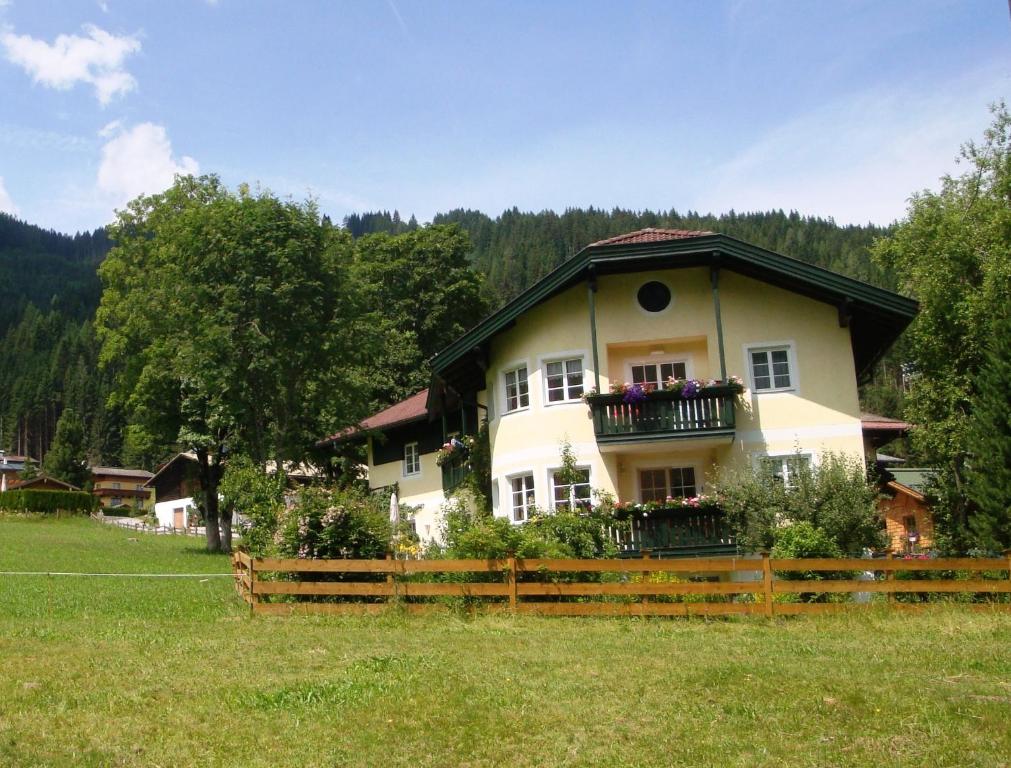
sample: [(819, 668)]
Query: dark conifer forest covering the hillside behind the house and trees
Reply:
[(50, 291)]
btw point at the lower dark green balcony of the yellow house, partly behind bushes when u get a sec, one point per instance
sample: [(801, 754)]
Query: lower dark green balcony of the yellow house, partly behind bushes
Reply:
[(678, 533)]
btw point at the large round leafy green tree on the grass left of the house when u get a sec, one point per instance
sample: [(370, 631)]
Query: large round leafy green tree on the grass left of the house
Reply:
[(229, 320)]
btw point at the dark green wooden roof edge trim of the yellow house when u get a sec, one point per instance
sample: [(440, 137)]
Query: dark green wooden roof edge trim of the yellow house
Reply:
[(875, 305)]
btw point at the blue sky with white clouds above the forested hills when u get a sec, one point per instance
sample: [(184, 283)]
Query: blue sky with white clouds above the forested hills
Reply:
[(833, 109)]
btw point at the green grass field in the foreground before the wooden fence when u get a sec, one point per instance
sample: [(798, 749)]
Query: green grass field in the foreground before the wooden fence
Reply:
[(171, 673)]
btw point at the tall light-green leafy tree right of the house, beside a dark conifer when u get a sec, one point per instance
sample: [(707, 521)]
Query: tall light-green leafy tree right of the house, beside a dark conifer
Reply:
[(954, 254)]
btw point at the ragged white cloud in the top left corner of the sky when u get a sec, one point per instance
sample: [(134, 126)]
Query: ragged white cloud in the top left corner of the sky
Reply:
[(97, 59)]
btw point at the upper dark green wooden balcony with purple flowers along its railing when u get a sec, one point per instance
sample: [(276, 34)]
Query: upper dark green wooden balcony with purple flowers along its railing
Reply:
[(664, 416)]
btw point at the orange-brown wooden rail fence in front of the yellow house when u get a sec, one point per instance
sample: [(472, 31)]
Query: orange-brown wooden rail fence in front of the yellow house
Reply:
[(688, 587)]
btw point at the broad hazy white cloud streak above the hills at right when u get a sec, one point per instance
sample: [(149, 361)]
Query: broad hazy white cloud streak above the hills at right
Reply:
[(859, 159)]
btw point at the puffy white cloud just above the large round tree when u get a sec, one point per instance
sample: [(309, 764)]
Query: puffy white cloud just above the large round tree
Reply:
[(139, 161)]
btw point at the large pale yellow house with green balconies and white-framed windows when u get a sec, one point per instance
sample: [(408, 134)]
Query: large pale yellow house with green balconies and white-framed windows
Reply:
[(647, 308)]
